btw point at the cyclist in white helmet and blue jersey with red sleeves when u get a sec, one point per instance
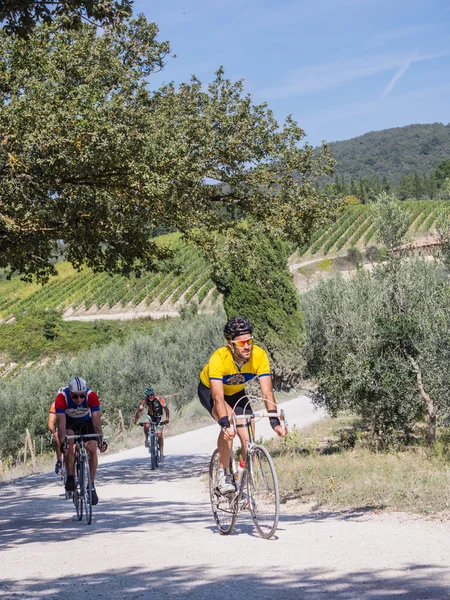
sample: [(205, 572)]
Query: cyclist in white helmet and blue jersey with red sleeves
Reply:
[(78, 411)]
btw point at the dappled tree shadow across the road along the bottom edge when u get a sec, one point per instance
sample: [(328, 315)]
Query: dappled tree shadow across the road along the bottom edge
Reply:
[(416, 582)]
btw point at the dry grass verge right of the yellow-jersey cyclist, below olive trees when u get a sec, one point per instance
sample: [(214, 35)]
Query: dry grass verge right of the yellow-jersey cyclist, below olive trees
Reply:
[(329, 465)]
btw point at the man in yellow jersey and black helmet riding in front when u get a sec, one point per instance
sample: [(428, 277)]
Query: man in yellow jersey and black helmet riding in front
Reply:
[(222, 389)]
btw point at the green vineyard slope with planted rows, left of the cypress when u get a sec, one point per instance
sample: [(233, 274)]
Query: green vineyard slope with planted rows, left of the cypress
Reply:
[(86, 293)]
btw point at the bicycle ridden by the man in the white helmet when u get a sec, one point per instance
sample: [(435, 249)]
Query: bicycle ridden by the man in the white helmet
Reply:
[(82, 496)]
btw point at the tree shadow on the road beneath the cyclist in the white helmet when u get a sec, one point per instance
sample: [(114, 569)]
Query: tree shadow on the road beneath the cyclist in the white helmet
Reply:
[(35, 509)]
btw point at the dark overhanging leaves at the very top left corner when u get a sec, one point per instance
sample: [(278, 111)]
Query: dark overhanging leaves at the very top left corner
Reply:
[(20, 17)]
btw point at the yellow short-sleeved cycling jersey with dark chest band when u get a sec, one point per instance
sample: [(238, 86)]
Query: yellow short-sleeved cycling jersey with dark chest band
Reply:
[(222, 367)]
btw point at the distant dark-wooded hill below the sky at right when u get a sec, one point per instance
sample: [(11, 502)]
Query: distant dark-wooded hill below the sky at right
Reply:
[(392, 153)]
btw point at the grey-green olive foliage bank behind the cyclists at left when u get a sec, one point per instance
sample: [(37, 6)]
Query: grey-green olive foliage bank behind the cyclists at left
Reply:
[(119, 372)]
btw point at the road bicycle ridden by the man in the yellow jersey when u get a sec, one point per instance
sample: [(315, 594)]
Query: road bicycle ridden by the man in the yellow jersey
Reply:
[(257, 489)]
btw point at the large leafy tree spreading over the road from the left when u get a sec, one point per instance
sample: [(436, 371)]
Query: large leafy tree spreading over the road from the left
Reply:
[(91, 156)]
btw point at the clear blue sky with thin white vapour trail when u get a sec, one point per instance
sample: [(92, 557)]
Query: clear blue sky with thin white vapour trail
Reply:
[(340, 67)]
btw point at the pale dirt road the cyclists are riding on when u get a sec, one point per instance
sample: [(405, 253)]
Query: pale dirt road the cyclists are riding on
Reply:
[(153, 536)]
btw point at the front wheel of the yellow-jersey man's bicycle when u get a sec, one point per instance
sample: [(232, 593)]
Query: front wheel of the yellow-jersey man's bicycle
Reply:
[(263, 492)]
